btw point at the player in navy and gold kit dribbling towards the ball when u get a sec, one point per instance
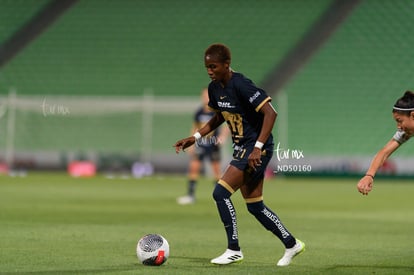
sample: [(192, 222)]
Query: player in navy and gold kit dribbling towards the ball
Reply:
[(250, 117)]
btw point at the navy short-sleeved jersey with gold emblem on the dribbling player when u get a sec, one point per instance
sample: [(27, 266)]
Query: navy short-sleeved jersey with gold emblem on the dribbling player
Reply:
[(239, 102)]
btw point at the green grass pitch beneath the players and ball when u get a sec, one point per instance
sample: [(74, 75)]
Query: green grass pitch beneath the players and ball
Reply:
[(53, 224)]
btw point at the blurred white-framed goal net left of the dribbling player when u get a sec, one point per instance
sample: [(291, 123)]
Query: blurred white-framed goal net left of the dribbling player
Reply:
[(57, 127)]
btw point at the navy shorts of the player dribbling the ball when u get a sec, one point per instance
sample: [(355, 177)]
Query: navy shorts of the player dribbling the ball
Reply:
[(240, 161)]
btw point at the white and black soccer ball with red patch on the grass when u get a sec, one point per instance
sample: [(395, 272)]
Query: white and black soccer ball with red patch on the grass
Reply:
[(153, 249)]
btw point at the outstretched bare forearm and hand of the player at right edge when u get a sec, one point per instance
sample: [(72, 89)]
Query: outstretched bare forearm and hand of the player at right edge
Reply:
[(365, 183)]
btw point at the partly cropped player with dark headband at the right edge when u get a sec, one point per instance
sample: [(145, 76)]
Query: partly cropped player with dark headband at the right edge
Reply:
[(403, 113)]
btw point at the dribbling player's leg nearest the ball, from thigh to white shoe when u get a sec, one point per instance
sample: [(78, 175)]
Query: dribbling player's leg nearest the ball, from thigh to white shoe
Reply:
[(225, 187)]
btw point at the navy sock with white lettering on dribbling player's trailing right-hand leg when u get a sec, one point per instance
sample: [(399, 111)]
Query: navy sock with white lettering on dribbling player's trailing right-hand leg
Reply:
[(271, 222)]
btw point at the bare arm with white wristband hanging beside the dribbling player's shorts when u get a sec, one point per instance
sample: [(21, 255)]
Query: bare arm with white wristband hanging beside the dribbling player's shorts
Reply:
[(269, 118)]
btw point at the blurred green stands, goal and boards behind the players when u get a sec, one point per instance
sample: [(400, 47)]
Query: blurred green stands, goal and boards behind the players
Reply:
[(116, 83)]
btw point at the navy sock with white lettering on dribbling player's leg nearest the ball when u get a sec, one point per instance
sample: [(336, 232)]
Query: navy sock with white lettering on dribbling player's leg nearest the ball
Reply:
[(228, 215)]
